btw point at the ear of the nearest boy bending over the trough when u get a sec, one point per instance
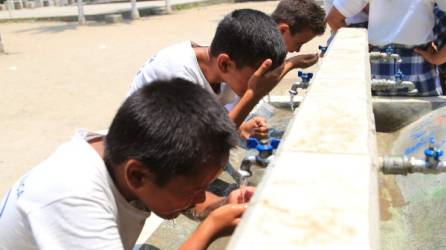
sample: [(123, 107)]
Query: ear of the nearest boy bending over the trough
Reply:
[(136, 175)]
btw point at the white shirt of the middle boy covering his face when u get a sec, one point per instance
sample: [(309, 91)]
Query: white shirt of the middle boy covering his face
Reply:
[(179, 61)]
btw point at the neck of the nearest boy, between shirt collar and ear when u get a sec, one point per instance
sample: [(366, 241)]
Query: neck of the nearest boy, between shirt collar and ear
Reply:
[(98, 144)]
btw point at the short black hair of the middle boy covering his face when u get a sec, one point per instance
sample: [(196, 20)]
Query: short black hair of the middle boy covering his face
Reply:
[(249, 37)]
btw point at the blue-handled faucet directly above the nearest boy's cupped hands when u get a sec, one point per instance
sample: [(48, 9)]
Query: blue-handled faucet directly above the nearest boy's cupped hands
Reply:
[(264, 156)]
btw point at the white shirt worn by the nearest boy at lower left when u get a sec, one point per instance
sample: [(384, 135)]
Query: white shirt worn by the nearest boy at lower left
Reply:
[(69, 201)]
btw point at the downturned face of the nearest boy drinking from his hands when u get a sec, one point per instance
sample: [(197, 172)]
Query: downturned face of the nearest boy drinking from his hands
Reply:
[(180, 193)]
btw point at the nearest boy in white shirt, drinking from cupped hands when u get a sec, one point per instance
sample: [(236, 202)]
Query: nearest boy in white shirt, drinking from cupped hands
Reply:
[(167, 142)]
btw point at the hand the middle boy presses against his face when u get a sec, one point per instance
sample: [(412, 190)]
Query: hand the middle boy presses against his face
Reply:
[(262, 81)]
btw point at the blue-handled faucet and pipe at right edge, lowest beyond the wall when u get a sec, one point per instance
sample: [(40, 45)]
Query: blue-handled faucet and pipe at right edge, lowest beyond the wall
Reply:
[(403, 165)]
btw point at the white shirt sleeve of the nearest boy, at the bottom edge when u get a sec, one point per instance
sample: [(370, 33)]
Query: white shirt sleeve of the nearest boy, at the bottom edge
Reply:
[(73, 223)]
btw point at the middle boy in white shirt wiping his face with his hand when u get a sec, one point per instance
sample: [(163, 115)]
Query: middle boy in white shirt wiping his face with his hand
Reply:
[(242, 64)]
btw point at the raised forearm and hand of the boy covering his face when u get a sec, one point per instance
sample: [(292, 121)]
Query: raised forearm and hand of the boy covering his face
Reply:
[(260, 84)]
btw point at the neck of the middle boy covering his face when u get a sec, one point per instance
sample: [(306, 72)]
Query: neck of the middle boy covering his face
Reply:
[(208, 66)]
